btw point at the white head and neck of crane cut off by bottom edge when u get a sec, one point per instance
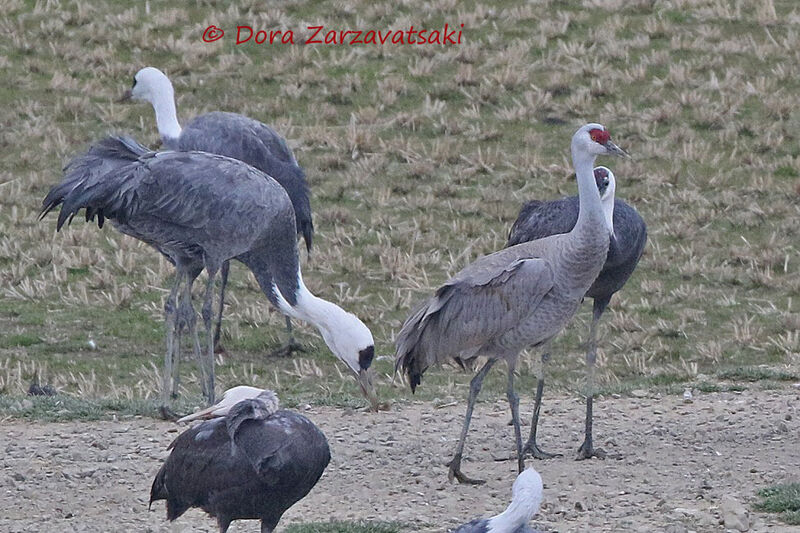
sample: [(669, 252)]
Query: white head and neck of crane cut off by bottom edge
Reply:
[(526, 497)]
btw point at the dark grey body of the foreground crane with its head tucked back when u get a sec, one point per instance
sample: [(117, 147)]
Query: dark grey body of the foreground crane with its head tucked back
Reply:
[(253, 464)]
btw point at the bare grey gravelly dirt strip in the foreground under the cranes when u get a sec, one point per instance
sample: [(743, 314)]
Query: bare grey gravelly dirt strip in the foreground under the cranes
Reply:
[(677, 461)]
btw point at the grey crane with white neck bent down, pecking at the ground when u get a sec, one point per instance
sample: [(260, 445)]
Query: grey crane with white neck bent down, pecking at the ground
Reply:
[(202, 209)]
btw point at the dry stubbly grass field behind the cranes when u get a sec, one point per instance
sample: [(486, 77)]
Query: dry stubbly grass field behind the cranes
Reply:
[(419, 158)]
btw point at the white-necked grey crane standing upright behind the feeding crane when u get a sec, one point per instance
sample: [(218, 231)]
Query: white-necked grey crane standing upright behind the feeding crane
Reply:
[(232, 135)]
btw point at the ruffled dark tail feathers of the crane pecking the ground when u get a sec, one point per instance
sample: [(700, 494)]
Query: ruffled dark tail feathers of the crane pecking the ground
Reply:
[(97, 181)]
